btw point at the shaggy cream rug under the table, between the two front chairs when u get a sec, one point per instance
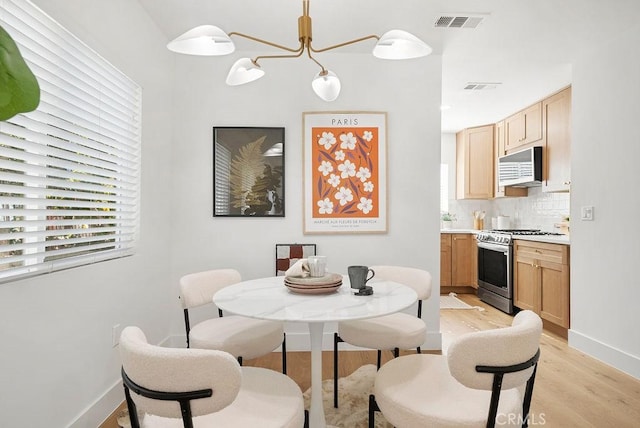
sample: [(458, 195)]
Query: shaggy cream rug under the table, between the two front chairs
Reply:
[(353, 400)]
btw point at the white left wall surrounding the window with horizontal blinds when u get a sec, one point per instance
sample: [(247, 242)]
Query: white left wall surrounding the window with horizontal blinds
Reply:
[(57, 365)]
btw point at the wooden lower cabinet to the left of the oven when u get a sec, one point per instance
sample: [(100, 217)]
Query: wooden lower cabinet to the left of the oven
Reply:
[(456, 262)]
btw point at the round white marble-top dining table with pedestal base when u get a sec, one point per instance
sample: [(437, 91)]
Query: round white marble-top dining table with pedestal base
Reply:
[(269, 299)]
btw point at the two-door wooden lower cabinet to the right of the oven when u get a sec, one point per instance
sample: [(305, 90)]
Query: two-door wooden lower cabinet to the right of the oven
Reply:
[(541, 280)]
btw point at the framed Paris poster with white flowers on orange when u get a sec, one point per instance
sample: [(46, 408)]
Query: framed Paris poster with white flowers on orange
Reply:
[(345, 172)]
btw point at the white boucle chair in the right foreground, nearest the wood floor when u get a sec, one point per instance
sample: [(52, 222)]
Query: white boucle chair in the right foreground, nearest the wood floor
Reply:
[(486, 379)]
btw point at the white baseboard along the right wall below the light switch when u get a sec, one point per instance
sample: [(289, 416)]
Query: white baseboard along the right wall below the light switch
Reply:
[(617, 358)]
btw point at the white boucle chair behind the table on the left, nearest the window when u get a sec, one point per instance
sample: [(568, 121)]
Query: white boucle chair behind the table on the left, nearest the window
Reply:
[(244, 338)]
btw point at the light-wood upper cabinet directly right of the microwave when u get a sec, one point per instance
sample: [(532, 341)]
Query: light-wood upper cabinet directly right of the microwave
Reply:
[(556, 125)]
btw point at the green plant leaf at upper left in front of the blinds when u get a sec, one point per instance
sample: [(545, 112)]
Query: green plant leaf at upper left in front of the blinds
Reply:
[(19, 89)]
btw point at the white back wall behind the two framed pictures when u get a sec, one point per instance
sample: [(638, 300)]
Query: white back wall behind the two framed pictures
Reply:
[(408, 91)]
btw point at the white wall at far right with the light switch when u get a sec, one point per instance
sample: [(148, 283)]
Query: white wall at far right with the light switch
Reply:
[(605, 285)]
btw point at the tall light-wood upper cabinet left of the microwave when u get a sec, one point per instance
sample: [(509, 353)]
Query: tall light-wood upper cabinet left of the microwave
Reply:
[(475, 163)]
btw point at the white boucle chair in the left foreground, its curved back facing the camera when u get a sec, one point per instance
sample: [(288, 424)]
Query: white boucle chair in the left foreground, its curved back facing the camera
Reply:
[(179, 387)]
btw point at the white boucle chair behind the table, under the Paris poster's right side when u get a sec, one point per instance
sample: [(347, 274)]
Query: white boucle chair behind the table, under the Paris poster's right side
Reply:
[(390, 332)]
